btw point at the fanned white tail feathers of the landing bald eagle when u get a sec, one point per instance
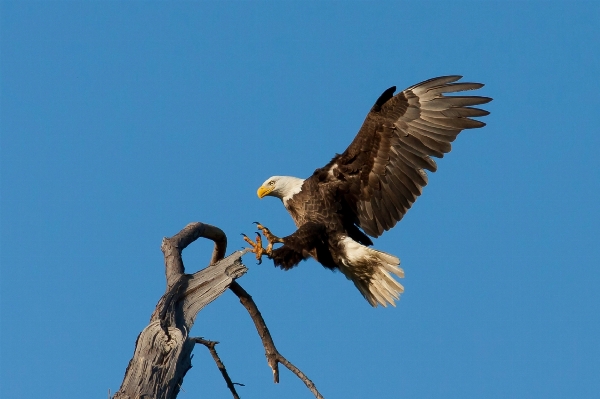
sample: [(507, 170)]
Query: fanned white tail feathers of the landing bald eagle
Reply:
[(370, 270)]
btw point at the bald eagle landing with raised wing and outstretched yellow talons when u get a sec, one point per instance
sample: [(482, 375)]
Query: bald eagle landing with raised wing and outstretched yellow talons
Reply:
[(368, 188)]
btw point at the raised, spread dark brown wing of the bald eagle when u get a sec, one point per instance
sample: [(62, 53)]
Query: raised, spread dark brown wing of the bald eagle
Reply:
[(381, 173)]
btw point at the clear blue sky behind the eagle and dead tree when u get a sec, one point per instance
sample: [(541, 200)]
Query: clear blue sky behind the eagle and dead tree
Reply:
[(122, 122)]
